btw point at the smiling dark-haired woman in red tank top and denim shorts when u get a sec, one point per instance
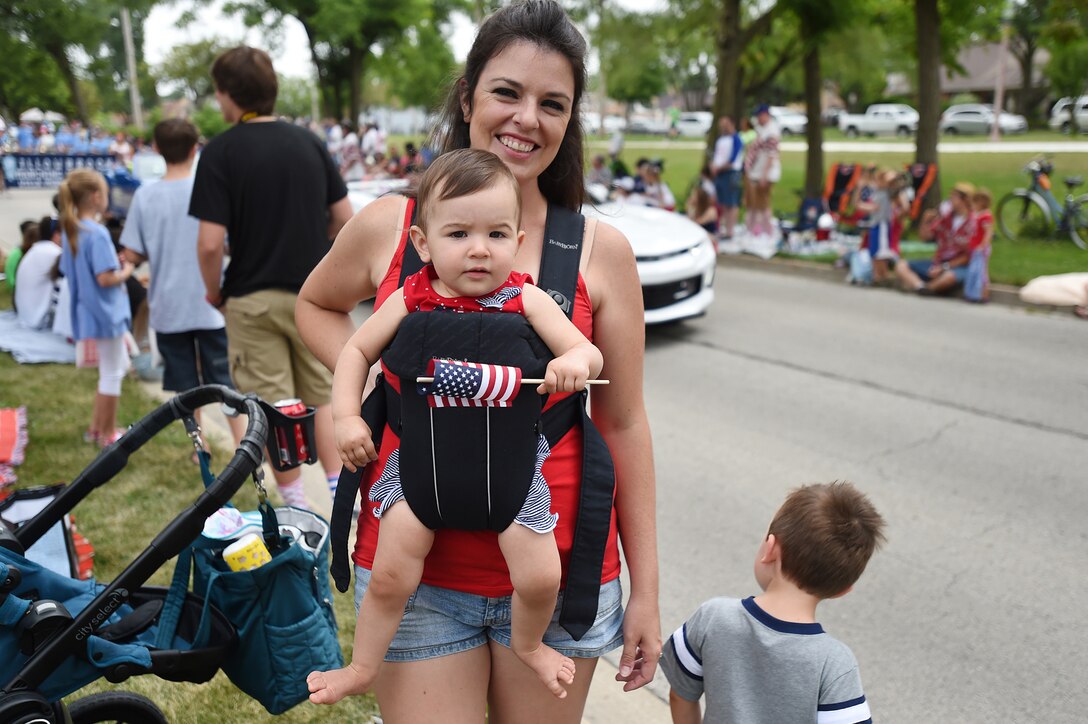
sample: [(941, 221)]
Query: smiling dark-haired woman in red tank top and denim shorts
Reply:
[(523, 85)]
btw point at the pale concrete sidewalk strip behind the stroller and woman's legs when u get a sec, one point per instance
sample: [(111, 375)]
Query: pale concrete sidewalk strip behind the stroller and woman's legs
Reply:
[(608, 704)]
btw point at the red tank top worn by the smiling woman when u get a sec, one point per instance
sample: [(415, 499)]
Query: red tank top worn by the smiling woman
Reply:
[(472, 561)]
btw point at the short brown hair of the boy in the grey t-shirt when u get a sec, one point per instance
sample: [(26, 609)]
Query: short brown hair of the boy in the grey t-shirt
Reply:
[(827, 534)]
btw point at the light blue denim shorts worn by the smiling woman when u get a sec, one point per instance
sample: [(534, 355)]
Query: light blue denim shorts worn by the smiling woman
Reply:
[(439, 622)]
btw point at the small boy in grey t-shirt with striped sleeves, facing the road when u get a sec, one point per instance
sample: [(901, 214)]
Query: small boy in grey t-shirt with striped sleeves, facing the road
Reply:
[(765, 659)]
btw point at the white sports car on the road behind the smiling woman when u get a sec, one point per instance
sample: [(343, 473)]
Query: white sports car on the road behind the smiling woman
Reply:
[(675, 256)]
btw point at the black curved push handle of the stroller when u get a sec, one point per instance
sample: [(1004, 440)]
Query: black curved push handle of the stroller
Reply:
[(179, 533)]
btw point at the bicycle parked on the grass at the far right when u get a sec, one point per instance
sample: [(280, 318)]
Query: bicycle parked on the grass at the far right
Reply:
[(1034, 213)]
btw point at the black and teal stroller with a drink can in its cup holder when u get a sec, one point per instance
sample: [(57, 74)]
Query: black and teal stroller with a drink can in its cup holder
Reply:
[(110, 631)]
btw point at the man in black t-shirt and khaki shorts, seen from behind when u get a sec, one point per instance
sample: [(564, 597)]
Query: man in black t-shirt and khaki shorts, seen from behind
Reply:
[(273, 191)]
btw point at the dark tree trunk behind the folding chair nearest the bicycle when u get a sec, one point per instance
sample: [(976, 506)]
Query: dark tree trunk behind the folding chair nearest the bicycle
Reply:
[(928, 29)]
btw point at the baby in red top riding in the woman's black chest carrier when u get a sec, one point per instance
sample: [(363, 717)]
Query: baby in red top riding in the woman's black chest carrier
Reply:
[(468, 236)]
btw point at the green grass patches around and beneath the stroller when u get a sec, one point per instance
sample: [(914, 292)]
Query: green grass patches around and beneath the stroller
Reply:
[(121, 519)]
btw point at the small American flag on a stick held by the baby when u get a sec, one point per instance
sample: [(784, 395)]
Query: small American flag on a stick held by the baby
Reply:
[(471, 385)]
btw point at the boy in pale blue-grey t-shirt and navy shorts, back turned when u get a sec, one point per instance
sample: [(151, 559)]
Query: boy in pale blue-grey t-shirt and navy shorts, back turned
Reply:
[(190, 333)]
